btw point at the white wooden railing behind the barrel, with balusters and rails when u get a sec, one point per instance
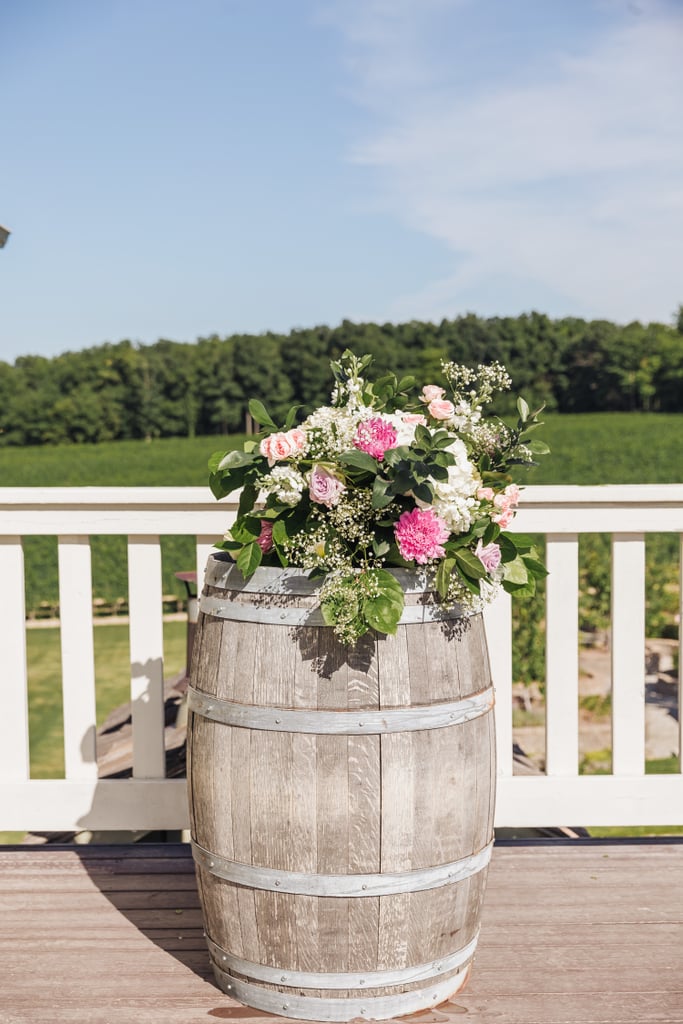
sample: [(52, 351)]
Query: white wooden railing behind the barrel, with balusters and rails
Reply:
[(148, 801)]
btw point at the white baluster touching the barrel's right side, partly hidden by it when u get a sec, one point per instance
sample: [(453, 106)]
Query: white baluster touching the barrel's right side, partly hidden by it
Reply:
[(498, 619)]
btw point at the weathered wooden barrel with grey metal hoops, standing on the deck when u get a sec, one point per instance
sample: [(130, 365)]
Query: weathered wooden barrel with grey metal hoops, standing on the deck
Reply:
[(341, 799)]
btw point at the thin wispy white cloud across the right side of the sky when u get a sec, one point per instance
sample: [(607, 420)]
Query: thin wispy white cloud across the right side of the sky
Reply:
[(567, 181)]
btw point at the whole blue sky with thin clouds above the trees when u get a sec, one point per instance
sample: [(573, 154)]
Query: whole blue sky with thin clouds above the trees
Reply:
[(178, 169)]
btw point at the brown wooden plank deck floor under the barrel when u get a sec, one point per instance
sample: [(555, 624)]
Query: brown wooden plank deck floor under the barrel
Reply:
[(573, 932)]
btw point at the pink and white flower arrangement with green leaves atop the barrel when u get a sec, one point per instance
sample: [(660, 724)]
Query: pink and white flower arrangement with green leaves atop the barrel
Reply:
[(387, 478)]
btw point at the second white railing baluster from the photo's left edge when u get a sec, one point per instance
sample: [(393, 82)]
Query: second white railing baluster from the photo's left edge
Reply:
[(78, 659)]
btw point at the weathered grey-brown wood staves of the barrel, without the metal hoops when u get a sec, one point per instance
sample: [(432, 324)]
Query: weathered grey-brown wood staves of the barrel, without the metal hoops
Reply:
[(339, 804)]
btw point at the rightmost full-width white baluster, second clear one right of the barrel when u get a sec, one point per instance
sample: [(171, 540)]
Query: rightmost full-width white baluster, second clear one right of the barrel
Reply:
[(628, 659)]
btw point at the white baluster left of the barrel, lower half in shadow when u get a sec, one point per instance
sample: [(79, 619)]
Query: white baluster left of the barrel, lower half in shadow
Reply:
[(147, 656)]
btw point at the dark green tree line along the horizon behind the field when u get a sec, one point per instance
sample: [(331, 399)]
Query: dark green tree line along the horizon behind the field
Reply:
[(125, 391)]
